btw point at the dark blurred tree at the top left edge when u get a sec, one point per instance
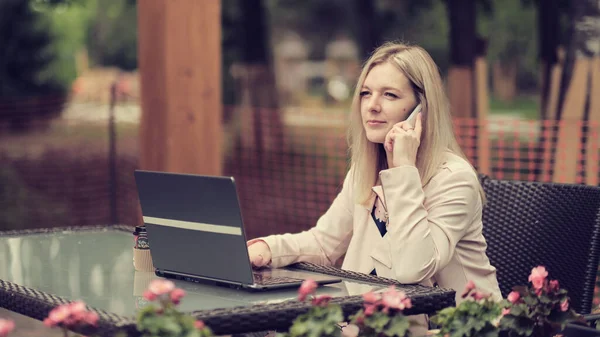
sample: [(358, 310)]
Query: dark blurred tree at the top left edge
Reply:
[(25, 38)]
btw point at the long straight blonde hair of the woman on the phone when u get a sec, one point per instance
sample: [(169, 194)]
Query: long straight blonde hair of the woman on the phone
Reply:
[(367, 158)]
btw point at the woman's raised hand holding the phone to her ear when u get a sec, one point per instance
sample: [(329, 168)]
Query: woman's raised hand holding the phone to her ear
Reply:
[(402, 142)]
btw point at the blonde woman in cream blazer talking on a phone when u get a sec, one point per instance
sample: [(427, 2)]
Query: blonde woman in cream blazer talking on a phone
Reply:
[(410, 207)]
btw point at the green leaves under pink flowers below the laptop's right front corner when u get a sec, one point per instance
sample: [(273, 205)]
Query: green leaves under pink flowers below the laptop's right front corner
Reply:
[(319, 321)]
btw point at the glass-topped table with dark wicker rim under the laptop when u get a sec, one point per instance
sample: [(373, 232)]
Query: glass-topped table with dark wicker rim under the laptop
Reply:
[(40, 269)]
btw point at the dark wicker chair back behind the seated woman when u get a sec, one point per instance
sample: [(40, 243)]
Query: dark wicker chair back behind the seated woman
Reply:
[(527, 224)]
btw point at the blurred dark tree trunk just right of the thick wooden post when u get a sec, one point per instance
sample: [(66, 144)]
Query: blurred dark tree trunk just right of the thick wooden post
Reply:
[(260, 116)]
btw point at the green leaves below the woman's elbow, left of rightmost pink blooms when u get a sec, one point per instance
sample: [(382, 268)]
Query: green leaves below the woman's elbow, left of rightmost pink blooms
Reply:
[(470, 318)]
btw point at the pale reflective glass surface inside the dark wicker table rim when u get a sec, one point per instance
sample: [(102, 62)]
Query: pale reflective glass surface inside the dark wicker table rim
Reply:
[(97, 267)]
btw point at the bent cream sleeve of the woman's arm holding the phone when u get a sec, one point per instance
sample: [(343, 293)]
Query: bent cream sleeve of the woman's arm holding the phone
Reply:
[(423, 234)]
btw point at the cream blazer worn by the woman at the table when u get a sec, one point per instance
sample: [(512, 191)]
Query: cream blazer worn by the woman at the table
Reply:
[(434, 233)]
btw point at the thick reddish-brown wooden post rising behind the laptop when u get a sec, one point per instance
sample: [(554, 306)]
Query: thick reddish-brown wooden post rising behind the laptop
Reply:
[(180, 75)]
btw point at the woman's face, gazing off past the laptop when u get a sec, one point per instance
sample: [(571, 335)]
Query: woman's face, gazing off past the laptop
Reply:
[(386, 98)]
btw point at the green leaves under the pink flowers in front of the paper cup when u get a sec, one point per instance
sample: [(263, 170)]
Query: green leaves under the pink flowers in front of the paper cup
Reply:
[(168, 322)]
